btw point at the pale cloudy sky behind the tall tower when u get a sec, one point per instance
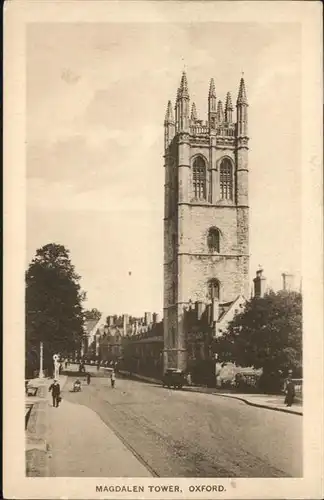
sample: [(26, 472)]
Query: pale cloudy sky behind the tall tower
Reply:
[(96, 101)]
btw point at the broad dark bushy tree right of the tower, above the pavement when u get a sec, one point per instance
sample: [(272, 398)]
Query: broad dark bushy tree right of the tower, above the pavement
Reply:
[(267, 334)]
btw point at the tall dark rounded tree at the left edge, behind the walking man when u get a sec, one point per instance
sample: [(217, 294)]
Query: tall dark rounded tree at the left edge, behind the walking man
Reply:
[(54, 313)]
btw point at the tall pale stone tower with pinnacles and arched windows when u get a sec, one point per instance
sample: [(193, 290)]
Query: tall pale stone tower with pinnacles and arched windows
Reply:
[(206, 242)]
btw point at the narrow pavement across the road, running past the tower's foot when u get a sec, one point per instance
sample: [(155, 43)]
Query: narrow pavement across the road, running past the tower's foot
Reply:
[(270, 402)]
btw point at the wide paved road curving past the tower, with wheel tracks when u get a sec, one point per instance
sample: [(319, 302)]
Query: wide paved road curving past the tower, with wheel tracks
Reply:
[(185, 434)]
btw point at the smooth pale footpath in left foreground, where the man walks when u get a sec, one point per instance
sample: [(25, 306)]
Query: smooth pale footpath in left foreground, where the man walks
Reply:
[(82, 445)]
